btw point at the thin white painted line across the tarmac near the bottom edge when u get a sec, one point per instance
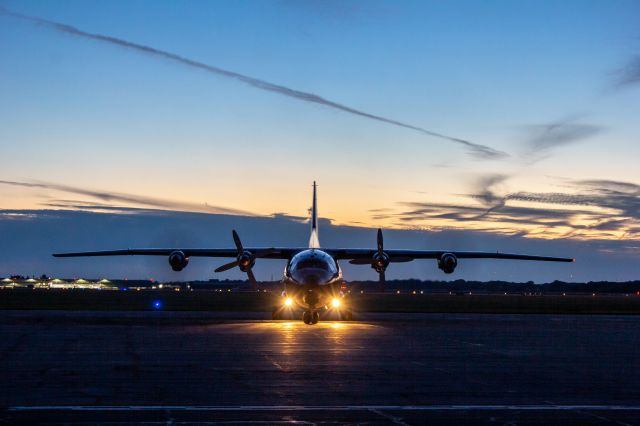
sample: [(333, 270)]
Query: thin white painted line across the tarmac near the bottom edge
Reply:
[(326, 408)]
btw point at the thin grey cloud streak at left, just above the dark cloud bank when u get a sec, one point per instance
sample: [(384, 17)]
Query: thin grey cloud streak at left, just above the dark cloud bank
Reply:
[(128, 198)]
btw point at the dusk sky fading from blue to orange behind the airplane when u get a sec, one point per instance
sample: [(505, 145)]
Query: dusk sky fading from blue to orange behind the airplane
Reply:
[(513, 120)]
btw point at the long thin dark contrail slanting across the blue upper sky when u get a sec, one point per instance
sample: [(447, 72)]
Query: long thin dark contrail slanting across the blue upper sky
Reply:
[(476, 150)]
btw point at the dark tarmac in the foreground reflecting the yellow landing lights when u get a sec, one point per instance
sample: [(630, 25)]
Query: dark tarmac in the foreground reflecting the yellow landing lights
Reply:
[(160, 367)]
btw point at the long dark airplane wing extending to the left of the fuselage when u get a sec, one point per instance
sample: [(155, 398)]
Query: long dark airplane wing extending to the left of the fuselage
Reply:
[(259, 252)]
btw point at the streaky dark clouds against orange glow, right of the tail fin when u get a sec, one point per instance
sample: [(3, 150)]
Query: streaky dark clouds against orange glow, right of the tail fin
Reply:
[(594, 209)]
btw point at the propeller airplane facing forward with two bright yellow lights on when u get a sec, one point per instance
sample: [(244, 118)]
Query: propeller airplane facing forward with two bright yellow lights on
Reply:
[(312, 276)]
